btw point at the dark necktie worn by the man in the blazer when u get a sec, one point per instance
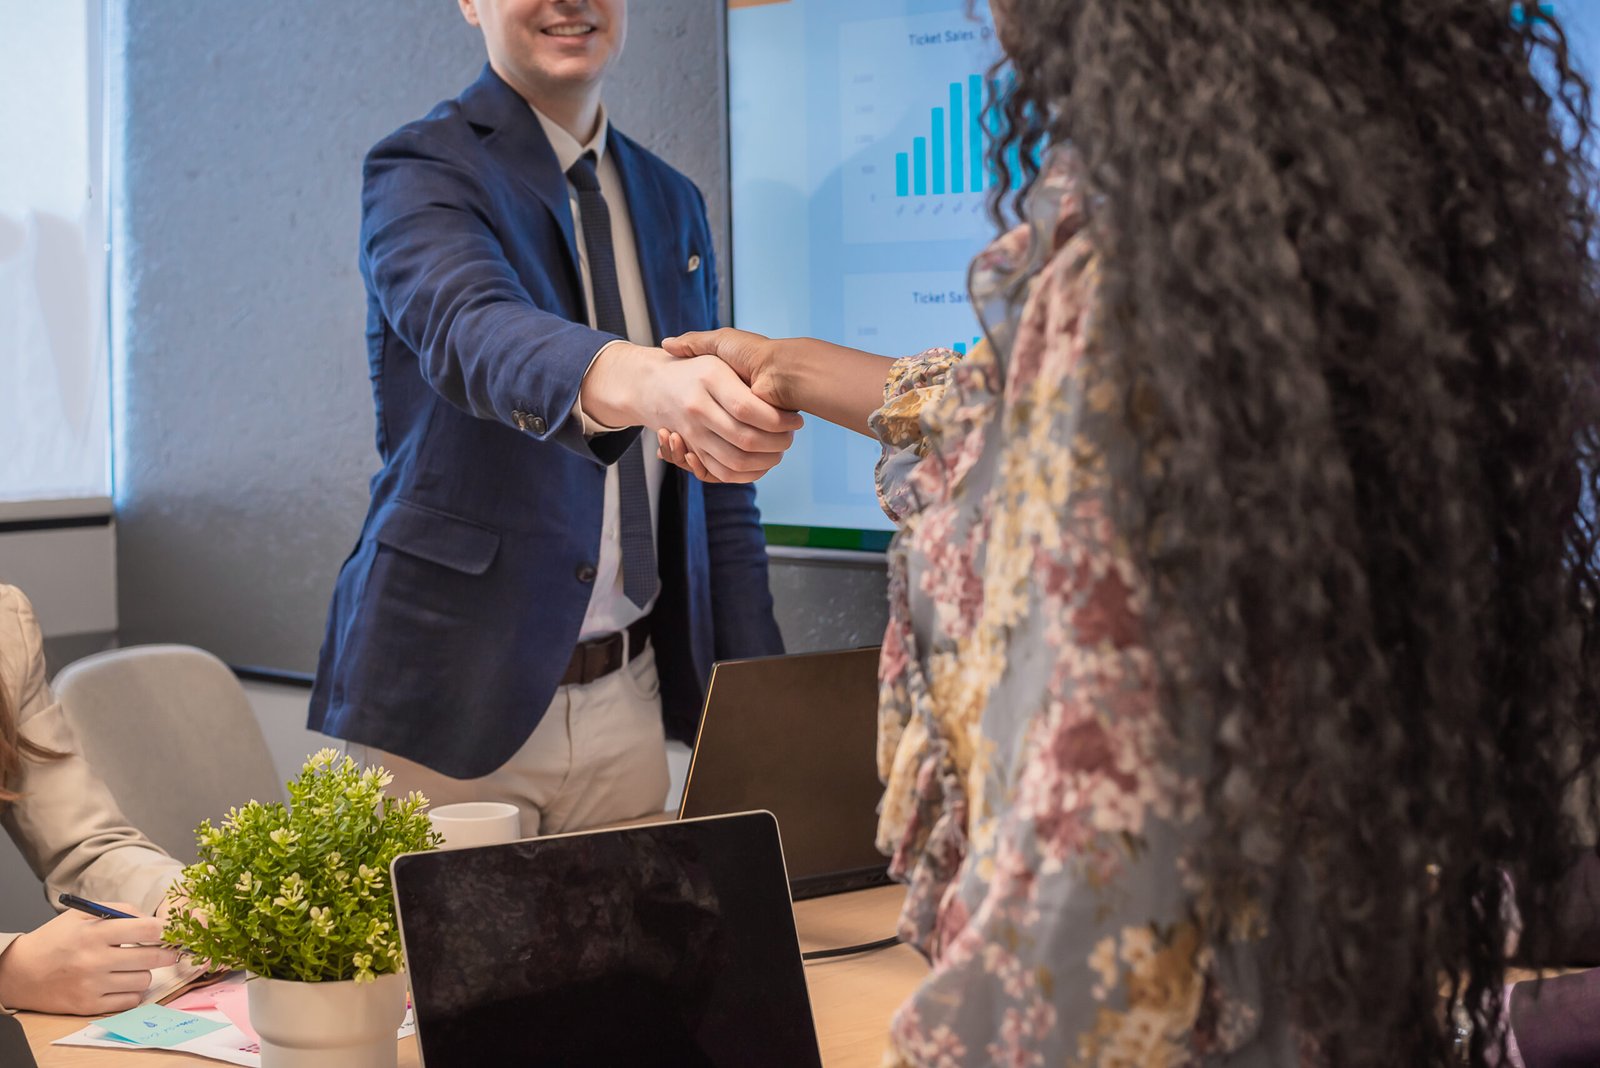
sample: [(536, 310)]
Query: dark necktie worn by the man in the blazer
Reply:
[(639, 548)]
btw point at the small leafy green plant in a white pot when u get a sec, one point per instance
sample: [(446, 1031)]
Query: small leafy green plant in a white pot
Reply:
[(300, 896)]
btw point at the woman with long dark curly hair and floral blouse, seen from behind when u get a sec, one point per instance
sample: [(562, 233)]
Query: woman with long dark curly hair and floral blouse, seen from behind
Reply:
[(1242, 664)]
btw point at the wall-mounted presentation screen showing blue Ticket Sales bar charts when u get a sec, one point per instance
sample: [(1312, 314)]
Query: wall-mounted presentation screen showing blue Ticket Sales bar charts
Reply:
[(858, 202)]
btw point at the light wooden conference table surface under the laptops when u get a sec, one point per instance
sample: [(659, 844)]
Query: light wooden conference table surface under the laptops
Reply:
[(852, 997)]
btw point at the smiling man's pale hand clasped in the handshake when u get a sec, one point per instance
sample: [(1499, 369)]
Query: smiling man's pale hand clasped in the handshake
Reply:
[(737, 436)]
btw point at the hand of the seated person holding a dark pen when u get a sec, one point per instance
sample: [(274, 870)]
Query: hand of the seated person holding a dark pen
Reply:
[(82, 966)]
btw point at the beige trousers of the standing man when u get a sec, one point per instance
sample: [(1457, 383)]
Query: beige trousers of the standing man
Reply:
[(598, 757)]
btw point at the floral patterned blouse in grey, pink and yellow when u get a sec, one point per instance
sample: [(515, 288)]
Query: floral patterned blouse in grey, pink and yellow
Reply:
[(1036, 803)]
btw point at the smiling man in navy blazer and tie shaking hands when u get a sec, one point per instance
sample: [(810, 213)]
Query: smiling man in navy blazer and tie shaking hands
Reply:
[(527, 578)]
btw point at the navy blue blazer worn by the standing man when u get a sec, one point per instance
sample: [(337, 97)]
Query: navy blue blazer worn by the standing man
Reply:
[(458, 612)]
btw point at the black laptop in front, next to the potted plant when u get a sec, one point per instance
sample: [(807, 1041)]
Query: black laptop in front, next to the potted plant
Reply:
[(670, 944)]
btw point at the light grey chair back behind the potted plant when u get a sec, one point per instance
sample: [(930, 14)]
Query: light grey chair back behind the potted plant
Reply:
[(172, 733)]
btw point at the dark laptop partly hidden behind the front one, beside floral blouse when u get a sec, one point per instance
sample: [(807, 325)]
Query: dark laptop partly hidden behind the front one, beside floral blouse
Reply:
[(798, 736)]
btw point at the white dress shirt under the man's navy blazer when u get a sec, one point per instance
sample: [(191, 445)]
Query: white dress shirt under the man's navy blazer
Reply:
[(609, 607)]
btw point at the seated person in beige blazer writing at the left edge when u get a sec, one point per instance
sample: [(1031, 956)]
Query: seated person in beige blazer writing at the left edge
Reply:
[(68, 826)]
